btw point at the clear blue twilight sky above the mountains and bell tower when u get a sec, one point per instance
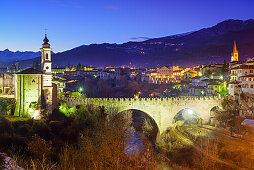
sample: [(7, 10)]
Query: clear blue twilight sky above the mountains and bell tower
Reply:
[(71, 23)]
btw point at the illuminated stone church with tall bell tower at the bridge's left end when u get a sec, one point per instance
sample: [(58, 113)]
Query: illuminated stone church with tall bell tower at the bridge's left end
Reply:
[(34, 90)]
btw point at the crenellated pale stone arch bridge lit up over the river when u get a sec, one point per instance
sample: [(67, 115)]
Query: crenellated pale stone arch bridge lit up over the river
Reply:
[(162, 110)]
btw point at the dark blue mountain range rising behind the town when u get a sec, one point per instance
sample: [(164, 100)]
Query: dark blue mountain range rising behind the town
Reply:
[(207, 45)]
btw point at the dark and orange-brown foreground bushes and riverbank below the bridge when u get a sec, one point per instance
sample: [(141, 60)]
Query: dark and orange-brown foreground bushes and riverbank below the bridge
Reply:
[(89, 138)]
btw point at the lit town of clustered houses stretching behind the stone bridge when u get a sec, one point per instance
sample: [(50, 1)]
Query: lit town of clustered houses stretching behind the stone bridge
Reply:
[(215, 79)]
